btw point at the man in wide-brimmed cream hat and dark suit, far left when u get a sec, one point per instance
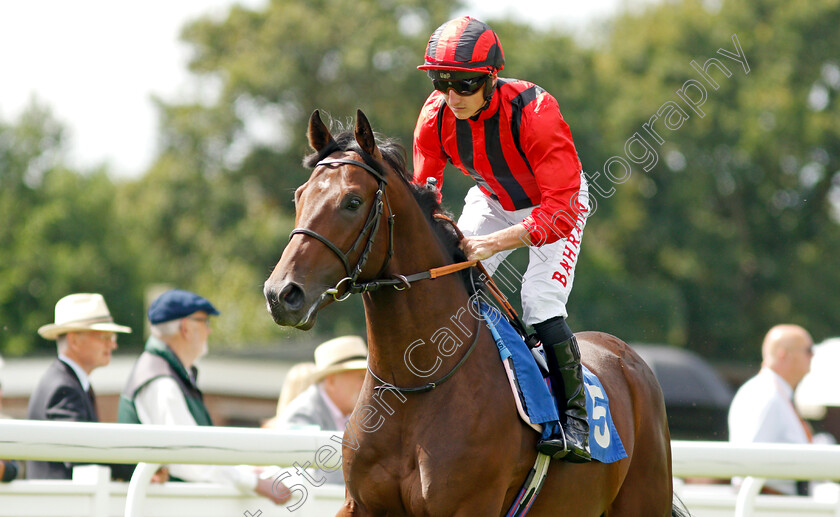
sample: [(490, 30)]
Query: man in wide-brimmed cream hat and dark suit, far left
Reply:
[(85, 335)]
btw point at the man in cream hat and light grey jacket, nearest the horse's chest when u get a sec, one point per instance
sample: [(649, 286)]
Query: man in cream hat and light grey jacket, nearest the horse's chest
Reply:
[(336, 382)]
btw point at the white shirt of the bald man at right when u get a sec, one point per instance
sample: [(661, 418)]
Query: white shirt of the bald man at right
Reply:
[(762, 412)]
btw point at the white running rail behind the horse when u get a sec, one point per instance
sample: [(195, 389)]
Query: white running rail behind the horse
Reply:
[(121, 443)]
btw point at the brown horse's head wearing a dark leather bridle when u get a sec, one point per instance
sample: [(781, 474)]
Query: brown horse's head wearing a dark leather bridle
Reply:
[(338, 237)]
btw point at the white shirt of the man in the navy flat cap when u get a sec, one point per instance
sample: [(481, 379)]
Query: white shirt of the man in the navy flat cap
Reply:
[(161, 402)]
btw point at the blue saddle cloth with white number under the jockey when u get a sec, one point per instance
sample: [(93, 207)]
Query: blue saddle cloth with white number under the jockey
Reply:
[(604, 442)]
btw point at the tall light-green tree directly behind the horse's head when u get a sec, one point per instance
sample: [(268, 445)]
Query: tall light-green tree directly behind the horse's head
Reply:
[(218, 201)]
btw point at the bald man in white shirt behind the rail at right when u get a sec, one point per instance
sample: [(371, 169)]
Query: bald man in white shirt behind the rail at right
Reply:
[(762, 410)]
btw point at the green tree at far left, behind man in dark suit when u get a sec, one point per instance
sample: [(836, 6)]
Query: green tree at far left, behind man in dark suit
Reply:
[(58, 235)]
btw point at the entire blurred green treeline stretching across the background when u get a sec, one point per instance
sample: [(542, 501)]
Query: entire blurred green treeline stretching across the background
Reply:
[(716, 182)]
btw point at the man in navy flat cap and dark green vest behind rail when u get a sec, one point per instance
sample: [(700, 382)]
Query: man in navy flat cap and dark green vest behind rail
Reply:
[(162, 387)]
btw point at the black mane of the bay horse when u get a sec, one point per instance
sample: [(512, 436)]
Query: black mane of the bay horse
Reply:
[(394, 155)]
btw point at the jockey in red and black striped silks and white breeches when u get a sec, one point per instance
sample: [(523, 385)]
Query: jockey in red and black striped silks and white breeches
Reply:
[(510, 137)]
